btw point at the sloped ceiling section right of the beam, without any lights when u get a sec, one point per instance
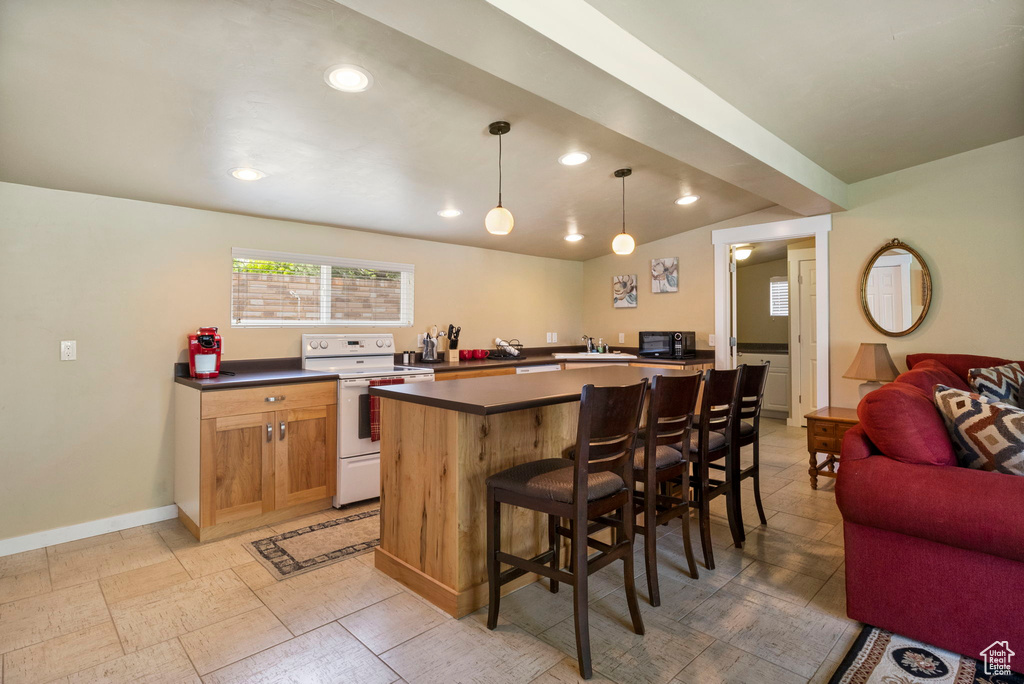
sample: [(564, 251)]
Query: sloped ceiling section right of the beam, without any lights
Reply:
[(863, 89)]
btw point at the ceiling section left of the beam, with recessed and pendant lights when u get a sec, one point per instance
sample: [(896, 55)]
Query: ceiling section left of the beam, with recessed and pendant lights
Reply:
[(158, 102)]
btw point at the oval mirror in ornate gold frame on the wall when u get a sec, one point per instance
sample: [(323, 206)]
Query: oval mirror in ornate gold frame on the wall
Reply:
[(897, 289)]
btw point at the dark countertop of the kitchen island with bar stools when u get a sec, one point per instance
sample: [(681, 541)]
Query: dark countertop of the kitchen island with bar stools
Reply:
[(497, 395)]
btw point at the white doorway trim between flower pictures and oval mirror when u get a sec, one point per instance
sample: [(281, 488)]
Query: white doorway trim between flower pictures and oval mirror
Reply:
[(812, 370)]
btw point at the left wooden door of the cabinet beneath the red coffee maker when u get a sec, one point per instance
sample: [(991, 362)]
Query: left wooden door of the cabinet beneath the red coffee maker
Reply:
[(236, 467)]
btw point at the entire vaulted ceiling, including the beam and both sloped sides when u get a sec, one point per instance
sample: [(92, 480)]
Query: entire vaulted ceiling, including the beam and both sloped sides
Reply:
[(157, 101)]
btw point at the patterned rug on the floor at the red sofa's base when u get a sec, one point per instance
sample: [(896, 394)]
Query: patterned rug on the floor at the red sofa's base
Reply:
[(883, 658)]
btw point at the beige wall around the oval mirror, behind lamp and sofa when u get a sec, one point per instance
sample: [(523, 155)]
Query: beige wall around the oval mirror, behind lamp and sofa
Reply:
[(965, 215)]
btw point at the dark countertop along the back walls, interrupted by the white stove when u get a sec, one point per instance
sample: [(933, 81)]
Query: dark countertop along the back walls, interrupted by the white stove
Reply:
[(263, 372)]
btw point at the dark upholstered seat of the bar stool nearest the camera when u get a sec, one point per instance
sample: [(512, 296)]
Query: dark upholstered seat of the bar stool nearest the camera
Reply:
[(552, 480)]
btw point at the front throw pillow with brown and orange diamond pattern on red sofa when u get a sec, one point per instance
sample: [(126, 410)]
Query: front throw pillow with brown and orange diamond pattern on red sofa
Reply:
[(986, 437)]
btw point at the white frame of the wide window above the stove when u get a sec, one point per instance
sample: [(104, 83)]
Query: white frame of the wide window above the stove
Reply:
[(326, 264)]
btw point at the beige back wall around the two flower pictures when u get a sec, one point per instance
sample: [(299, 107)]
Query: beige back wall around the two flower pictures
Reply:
[(691, 309)]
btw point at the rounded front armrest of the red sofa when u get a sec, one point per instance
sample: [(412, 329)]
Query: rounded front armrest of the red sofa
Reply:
[(969, 509)]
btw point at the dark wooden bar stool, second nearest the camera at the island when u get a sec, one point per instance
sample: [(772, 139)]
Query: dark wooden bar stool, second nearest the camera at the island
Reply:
[(663, 461)]
